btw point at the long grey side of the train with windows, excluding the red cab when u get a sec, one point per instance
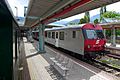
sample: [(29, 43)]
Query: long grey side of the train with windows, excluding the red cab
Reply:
[(69, 38)]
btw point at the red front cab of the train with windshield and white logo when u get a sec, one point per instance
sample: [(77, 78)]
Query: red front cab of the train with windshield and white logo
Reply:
[(94, 41)]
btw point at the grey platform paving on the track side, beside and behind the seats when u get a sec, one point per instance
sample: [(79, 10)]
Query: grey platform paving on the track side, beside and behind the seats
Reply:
[(80, 72)]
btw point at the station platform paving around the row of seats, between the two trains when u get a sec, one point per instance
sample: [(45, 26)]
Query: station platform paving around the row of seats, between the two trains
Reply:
[(35, 66)]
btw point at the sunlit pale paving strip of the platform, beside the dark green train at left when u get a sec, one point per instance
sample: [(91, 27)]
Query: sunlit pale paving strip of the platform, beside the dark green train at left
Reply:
[(36, 63)]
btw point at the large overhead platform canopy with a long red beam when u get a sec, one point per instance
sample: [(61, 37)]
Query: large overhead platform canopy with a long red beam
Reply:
[(46, 11)]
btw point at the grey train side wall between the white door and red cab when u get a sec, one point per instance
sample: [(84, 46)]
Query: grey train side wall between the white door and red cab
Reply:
[(73, 40)]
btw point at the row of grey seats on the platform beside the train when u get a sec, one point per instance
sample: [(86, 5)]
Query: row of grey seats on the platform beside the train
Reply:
[(60, 63)]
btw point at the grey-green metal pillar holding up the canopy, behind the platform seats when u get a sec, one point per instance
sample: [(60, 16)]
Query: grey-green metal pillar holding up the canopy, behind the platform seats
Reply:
[(41, 38)]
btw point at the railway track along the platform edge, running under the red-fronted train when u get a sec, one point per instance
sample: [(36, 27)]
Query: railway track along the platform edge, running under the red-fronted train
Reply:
[(97, 63)]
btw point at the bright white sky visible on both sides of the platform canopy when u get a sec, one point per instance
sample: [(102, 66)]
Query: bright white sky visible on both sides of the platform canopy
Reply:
[(21, 3)]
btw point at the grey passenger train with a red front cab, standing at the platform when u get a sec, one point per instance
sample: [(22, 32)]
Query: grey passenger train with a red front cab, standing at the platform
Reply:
[(87, 39)]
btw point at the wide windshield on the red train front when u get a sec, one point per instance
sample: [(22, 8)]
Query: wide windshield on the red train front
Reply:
[(94, 34)]
